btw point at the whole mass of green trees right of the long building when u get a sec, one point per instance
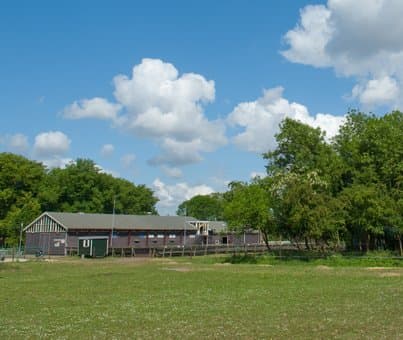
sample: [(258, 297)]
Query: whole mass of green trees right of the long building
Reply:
[(347, 191)]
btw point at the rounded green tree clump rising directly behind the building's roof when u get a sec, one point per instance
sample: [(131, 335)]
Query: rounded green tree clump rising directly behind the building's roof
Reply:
[(83, 187)]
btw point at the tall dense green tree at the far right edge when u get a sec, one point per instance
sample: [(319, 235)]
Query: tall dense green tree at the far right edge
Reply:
[(372, 153)]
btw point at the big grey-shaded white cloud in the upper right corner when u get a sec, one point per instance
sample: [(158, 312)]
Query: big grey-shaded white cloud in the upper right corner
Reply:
[(358, 38)]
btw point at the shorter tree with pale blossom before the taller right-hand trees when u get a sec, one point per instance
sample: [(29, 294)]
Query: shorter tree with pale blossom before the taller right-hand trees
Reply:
[(305, 211)]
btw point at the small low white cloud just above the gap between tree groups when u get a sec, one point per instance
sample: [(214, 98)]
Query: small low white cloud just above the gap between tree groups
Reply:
[(170, 196)]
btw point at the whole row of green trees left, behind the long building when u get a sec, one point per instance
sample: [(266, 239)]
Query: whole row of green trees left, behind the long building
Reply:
[(27, 188)]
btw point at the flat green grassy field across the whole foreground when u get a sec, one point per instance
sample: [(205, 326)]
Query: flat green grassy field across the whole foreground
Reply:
[(183, 298)]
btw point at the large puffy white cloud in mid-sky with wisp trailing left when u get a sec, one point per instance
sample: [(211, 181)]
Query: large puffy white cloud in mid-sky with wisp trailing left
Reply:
[(158, 103)]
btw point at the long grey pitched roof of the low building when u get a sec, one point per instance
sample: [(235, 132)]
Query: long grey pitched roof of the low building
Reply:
[(122, 222)]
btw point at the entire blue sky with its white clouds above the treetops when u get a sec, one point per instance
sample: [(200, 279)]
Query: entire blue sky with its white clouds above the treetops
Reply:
[(212, 80)]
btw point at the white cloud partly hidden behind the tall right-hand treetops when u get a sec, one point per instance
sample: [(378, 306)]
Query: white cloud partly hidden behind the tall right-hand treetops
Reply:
[(260, 120)]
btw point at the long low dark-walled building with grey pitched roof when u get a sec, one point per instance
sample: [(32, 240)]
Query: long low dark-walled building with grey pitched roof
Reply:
[(55, 233)]
